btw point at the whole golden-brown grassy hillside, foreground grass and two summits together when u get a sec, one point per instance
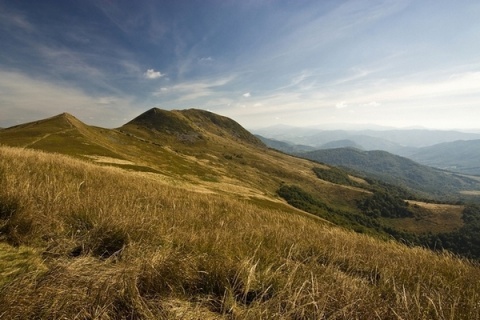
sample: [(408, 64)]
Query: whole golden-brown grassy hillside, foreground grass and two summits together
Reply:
[(185, 214)]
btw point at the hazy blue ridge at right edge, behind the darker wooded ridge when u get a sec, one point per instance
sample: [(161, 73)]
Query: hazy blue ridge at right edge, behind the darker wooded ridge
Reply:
[(459, 156)]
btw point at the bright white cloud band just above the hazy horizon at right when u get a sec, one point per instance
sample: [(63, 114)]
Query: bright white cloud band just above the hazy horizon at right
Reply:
[(394, 102)]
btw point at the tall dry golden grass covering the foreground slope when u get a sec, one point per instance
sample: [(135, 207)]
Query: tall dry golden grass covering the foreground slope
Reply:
[(116, 245)]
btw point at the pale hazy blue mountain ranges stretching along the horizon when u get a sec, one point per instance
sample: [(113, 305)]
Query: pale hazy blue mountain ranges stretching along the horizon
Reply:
[(451, 150)]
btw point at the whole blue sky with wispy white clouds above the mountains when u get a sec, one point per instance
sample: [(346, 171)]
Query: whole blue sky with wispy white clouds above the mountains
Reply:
[(324, 63)]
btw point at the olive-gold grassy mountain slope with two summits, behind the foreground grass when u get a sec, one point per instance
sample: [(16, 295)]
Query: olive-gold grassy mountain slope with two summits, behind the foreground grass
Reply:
[(197, 149)]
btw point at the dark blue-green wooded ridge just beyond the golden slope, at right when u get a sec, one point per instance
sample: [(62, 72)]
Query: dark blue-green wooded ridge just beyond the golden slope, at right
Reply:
[(396, 170)]
